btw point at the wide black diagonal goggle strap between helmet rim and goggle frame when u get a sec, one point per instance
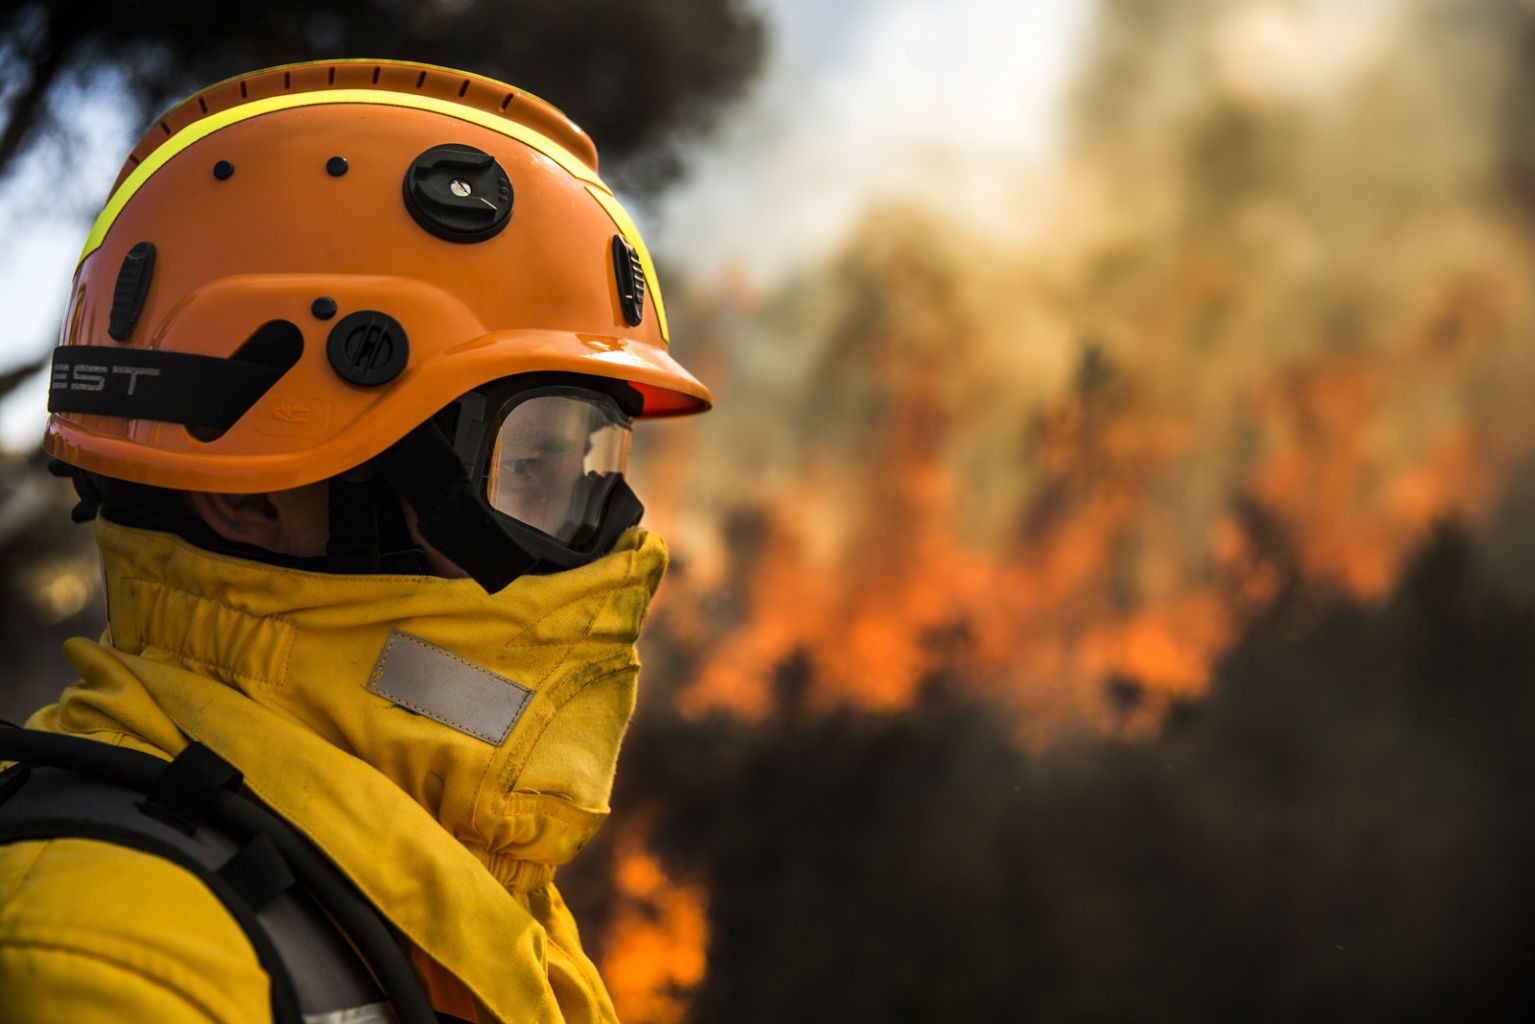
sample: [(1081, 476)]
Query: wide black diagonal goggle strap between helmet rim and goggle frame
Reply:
[(427, 474)]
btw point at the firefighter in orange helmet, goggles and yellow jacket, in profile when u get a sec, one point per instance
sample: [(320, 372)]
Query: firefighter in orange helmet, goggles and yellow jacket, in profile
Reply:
[(346, 383)]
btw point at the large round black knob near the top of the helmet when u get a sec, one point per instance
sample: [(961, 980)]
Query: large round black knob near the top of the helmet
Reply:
[(458, 193)]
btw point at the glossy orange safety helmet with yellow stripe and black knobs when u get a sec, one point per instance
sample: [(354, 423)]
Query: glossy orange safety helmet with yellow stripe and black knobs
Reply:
[(299, 266)]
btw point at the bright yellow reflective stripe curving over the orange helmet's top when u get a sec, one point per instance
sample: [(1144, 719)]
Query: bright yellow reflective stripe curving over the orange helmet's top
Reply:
[(206, 127)]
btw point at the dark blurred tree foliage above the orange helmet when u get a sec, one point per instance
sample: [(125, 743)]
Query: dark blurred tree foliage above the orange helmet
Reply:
[(641, 79)]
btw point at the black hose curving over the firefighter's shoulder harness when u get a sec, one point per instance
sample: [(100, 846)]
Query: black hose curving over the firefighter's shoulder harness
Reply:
[(237, 814)]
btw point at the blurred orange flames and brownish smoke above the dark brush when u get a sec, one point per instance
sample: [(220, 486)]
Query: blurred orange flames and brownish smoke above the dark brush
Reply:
[(1247, 349)]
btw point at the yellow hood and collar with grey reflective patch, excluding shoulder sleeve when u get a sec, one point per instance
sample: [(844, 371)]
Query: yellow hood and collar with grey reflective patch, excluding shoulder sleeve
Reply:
[(311, 682)]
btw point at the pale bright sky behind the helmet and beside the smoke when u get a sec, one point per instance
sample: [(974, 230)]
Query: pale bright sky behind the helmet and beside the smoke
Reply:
[(859, 101)]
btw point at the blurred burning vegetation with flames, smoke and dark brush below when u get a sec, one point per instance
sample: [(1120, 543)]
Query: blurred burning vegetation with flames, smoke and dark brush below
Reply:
[(1124, 616)]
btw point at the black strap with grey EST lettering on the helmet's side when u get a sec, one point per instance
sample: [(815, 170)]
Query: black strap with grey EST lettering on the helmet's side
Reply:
[(171, 388)]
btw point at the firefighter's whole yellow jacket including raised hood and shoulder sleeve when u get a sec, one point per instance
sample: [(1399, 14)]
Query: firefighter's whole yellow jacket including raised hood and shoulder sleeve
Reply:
[(365, 712)]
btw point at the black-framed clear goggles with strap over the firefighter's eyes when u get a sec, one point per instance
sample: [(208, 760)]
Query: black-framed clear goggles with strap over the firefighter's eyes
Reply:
[(520, 477)]
